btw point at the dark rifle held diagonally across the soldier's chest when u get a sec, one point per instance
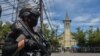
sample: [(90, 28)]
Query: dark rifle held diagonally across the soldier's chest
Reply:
[(41, 45)]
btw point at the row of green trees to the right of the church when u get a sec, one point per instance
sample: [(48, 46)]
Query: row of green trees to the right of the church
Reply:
[(90, 37)]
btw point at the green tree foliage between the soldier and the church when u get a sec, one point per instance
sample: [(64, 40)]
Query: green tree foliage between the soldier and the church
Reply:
[(51, 36)]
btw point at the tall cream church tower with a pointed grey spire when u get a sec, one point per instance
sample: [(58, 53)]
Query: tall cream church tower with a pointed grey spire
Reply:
[(67, 32)]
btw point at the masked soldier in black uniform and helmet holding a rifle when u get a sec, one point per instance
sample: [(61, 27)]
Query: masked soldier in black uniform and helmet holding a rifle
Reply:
[(30, 19)]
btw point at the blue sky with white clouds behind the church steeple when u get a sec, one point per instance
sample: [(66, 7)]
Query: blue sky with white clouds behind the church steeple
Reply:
[(83, 13)]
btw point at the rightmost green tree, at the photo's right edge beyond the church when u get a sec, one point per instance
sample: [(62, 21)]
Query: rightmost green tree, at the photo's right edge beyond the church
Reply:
[(94, 37)]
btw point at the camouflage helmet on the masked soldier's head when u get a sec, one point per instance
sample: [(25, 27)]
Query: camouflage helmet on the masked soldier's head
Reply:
[(27, 10)]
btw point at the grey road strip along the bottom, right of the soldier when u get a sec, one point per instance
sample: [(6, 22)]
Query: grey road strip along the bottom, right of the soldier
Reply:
[(76, 54)]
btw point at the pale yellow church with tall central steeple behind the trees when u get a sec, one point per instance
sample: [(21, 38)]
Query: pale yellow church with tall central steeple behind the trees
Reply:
[(66, 38)]
